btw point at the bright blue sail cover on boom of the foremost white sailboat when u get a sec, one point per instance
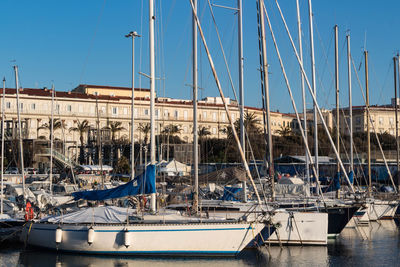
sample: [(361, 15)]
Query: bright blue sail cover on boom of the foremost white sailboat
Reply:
[(142, 184)]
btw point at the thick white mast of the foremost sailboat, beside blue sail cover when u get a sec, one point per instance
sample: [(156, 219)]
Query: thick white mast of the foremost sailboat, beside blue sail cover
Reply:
[(152, 96)]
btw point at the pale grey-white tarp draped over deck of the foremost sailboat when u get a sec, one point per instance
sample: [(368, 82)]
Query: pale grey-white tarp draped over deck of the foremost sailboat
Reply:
[(106, 214)]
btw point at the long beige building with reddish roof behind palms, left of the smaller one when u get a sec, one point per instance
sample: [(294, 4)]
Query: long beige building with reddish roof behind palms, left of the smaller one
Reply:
[(114, 104)]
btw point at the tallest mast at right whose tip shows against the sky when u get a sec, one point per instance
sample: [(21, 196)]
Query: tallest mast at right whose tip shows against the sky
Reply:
[(337, 106)]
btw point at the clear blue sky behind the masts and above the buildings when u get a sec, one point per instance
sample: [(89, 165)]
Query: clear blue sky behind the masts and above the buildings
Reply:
[(72, 42)]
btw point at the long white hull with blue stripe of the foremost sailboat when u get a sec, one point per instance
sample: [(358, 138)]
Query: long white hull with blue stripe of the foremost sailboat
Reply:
[(226, 239)]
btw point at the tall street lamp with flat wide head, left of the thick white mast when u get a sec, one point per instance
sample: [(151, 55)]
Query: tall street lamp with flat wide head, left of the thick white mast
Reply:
[(132, 35)]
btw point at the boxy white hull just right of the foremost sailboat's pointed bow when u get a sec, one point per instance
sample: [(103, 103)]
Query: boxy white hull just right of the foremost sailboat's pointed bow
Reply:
[(300, 228)]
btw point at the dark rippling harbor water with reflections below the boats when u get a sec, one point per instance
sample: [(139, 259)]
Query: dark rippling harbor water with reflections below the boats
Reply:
[(374, 245)]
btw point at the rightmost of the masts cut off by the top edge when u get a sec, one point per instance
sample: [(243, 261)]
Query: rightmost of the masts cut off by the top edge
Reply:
[(314, 87)]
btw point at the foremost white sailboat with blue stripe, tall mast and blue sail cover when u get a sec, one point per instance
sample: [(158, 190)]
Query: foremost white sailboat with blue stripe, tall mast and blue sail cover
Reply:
[(113, 230)]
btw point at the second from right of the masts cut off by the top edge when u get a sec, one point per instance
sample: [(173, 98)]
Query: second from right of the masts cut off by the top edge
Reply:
[(307, 168)]
